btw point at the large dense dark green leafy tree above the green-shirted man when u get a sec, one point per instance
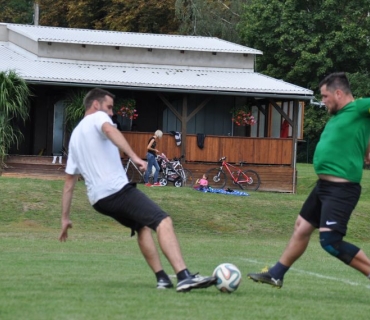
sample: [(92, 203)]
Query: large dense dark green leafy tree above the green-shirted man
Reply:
[(304, 40)]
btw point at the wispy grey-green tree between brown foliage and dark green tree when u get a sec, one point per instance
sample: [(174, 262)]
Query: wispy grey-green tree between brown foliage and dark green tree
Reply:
[(214, 18)]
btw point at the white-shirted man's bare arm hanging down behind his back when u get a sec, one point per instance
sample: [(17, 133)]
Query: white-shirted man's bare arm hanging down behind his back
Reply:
[(69, 185)]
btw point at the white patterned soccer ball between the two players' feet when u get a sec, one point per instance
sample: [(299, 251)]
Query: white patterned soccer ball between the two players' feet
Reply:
[(228, 277)]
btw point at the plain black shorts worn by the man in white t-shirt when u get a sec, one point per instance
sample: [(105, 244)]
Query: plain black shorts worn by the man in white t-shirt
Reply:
[(132, 208)]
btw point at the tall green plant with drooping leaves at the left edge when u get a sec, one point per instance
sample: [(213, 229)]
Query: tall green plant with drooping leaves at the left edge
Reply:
[(14, 106)]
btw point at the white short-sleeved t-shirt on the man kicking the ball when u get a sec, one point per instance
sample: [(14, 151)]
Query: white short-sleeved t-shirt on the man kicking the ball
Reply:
[(96, 158)]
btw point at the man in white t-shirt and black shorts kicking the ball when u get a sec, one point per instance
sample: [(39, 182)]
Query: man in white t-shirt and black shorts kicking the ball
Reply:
[(94, 153)]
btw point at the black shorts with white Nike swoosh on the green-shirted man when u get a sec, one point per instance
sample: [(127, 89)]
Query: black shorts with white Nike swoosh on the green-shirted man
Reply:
[(330, 204)]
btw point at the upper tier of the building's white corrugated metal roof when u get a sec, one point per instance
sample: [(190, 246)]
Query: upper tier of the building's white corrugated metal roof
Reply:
[(127, 39)]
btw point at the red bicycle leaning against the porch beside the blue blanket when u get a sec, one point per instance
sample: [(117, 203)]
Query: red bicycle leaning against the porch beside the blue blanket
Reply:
[(248, 179)]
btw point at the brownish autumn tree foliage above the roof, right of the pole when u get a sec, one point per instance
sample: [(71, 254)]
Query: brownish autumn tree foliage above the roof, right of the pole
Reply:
[(147, 16)]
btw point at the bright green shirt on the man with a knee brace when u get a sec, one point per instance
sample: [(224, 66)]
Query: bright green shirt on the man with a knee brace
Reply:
[(343, 143)]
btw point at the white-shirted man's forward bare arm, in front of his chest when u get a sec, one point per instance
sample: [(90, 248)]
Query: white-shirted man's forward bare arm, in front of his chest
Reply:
[(120, 141)]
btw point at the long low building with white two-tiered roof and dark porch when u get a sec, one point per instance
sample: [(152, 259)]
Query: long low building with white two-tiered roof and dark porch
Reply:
[(184, 84)]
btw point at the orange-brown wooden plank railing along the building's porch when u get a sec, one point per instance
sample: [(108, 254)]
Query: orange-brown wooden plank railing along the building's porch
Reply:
[(267, 151)]
